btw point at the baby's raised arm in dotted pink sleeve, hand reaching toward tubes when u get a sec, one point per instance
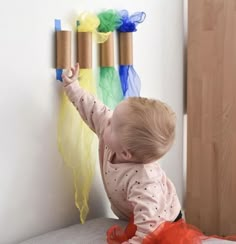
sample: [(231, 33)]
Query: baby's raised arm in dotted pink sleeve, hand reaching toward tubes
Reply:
[(94, 113)]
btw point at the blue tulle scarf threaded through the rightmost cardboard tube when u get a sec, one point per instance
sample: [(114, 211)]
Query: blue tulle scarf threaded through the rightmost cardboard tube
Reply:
[(130, 81)]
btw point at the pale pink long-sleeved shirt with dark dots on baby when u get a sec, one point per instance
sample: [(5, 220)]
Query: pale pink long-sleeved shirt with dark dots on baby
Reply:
[(140, 189)]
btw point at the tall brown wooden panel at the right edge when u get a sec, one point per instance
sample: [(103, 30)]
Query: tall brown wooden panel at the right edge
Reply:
[(211, 112)]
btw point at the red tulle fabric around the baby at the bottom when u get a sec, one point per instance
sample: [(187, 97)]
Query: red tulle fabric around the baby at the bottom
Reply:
[(167, 233)]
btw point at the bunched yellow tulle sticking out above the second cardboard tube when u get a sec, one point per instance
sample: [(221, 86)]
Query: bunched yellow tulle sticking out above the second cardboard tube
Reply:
[(88, 22)]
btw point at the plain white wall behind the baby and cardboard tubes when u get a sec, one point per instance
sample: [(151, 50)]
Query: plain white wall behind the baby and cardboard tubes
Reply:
[(36, 191)]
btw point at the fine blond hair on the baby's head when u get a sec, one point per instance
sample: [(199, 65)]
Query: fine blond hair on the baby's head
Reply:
[(148, 131)]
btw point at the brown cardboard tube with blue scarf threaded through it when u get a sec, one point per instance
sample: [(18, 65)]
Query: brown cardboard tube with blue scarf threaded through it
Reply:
[(125, 48)]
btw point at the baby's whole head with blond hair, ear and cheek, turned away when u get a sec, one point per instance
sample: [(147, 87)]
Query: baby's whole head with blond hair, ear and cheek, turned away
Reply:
[(141, 129)]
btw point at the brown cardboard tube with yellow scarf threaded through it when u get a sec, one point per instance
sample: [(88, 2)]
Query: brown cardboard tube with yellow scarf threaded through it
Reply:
[(84, 49)]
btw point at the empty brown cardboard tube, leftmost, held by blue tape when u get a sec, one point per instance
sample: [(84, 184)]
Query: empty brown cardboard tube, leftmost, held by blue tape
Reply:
[(63, 49)]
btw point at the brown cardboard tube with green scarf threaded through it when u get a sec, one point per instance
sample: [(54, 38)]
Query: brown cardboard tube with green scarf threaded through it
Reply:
[(107, 52)]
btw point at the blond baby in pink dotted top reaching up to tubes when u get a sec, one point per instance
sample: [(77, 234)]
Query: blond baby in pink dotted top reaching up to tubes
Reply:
[(131, 140)]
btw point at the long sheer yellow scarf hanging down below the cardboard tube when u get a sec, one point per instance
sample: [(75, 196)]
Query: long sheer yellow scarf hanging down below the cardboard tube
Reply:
[(78, 145)]
